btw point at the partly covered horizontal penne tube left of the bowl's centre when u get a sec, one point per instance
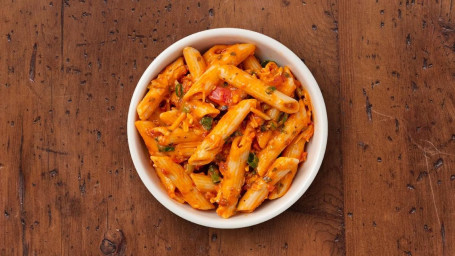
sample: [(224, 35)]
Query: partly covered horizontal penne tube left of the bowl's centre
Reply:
[(177, 136)]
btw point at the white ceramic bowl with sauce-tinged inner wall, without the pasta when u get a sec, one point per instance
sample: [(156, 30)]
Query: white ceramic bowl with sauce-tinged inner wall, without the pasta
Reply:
[(267, 48)]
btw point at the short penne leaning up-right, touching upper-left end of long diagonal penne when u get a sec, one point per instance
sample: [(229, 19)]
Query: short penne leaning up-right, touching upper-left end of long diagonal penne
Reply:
[(204, 85)]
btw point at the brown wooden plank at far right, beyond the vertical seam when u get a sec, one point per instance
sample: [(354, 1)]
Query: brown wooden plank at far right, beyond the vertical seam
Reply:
[(397, 82)]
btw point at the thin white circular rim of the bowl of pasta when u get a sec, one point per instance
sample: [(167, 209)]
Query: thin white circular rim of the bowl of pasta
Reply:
[(138, 93)]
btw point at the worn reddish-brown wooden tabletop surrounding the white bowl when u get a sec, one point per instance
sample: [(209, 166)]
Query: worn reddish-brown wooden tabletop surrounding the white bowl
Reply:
[(387, 73)]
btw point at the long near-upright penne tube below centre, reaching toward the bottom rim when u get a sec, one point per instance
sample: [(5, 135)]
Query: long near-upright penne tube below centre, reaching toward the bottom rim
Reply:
[(234, 176)]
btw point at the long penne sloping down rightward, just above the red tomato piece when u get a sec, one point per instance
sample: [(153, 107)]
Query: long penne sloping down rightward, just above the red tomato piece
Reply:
[(258, 89)]
